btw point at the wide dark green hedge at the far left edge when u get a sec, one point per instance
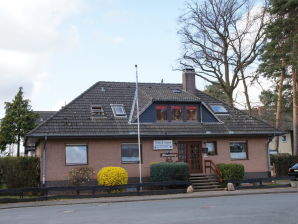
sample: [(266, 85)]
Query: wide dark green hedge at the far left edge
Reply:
[(18, 172)]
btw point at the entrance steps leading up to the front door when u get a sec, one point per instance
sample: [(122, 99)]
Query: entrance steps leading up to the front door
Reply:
[(205, 182)]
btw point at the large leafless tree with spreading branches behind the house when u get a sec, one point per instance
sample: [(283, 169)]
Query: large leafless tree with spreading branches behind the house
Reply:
[(220, 39)]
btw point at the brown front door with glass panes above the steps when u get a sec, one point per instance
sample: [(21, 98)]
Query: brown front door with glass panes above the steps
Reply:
[(191, 153)]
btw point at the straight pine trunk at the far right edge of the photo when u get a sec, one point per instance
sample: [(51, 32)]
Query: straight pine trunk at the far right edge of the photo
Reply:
[(295, 112)]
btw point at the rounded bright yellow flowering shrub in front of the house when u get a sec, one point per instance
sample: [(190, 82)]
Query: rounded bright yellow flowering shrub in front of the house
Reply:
[(112, 176)]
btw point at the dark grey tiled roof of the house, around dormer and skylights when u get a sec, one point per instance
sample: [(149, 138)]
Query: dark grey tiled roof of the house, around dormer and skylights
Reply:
[(74, 120)]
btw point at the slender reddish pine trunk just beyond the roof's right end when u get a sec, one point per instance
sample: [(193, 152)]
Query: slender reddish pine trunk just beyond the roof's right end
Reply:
[(278, 107)]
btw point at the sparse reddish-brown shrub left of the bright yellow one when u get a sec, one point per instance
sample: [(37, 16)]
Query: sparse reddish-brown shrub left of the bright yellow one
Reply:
[(81, 175)]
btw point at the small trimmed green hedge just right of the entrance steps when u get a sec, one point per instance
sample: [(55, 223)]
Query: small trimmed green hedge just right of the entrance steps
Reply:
[(231, 171)]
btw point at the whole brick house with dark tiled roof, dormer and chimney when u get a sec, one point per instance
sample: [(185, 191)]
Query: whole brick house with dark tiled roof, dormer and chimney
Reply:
[(99, 128)]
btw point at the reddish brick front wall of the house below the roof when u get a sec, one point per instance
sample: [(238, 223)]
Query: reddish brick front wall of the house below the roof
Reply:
[(103, 153)]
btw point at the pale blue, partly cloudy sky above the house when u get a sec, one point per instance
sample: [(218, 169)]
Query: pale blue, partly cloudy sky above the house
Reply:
[(56, 49)]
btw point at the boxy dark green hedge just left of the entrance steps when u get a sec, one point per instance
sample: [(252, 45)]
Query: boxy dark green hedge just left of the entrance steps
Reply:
[(169, 171)]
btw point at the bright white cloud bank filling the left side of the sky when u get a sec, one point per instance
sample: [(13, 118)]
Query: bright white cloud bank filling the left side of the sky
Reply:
[(30, 33)]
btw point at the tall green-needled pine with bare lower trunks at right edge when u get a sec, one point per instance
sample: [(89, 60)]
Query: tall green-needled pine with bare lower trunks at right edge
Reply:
[(280, 54)]
